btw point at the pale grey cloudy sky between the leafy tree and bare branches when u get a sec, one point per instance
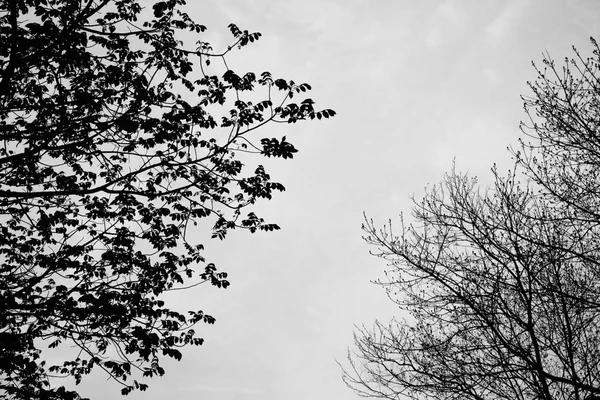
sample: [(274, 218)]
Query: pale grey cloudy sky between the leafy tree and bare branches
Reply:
[(415, 84)]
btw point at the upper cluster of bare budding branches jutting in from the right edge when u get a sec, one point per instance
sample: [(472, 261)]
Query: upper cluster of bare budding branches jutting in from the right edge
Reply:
[(563, 123)]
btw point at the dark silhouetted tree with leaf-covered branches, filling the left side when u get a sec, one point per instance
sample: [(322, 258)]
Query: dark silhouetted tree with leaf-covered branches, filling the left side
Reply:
[(113, 148)]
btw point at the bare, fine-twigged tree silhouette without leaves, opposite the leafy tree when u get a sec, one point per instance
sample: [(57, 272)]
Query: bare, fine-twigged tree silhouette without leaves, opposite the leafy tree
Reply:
[(501, 286)]
